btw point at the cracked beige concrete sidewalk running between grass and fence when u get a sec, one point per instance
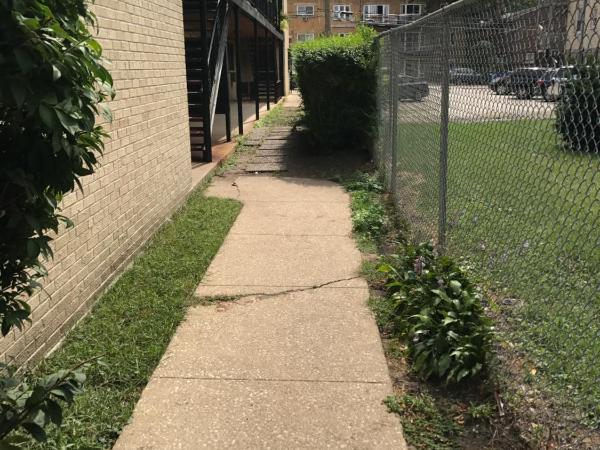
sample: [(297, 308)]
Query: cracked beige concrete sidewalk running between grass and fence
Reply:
[(295, 360)]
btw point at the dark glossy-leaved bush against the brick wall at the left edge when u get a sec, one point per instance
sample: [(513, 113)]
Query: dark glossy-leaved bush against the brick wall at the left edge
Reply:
[(52, 83)]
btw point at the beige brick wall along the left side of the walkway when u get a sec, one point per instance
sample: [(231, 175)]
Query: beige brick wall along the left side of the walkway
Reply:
[(143, 177)]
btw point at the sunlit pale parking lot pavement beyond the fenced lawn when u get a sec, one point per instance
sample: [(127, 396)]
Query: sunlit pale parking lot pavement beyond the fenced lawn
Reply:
[(474, 104)]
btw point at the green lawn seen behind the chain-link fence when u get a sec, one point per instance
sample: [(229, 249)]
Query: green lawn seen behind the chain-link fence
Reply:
[(525, 211)]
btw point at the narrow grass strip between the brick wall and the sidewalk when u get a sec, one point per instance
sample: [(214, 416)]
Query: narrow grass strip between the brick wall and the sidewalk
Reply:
[(132, 323)]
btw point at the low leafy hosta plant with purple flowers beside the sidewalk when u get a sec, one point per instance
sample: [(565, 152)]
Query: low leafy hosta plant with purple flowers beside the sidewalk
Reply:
[(438, 311)]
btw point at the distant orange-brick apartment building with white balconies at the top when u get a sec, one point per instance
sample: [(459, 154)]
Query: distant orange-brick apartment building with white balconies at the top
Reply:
[(309, 19)]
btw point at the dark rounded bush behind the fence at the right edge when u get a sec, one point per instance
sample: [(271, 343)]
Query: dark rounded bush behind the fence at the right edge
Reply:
[(578, 109)]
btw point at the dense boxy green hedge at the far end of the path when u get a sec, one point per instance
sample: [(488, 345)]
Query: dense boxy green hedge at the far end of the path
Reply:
[(336, 78)]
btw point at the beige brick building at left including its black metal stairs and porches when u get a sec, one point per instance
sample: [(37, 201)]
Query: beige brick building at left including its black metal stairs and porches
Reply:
[(155, 54)]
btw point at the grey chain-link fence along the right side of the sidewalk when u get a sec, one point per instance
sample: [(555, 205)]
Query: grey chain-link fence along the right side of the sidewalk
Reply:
[(489, 130)]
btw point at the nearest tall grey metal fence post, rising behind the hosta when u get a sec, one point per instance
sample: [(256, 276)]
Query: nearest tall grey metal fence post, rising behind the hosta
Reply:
[(445, 105)]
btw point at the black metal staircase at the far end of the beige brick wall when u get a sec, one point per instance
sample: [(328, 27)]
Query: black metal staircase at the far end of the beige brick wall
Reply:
[(206, 28)]
